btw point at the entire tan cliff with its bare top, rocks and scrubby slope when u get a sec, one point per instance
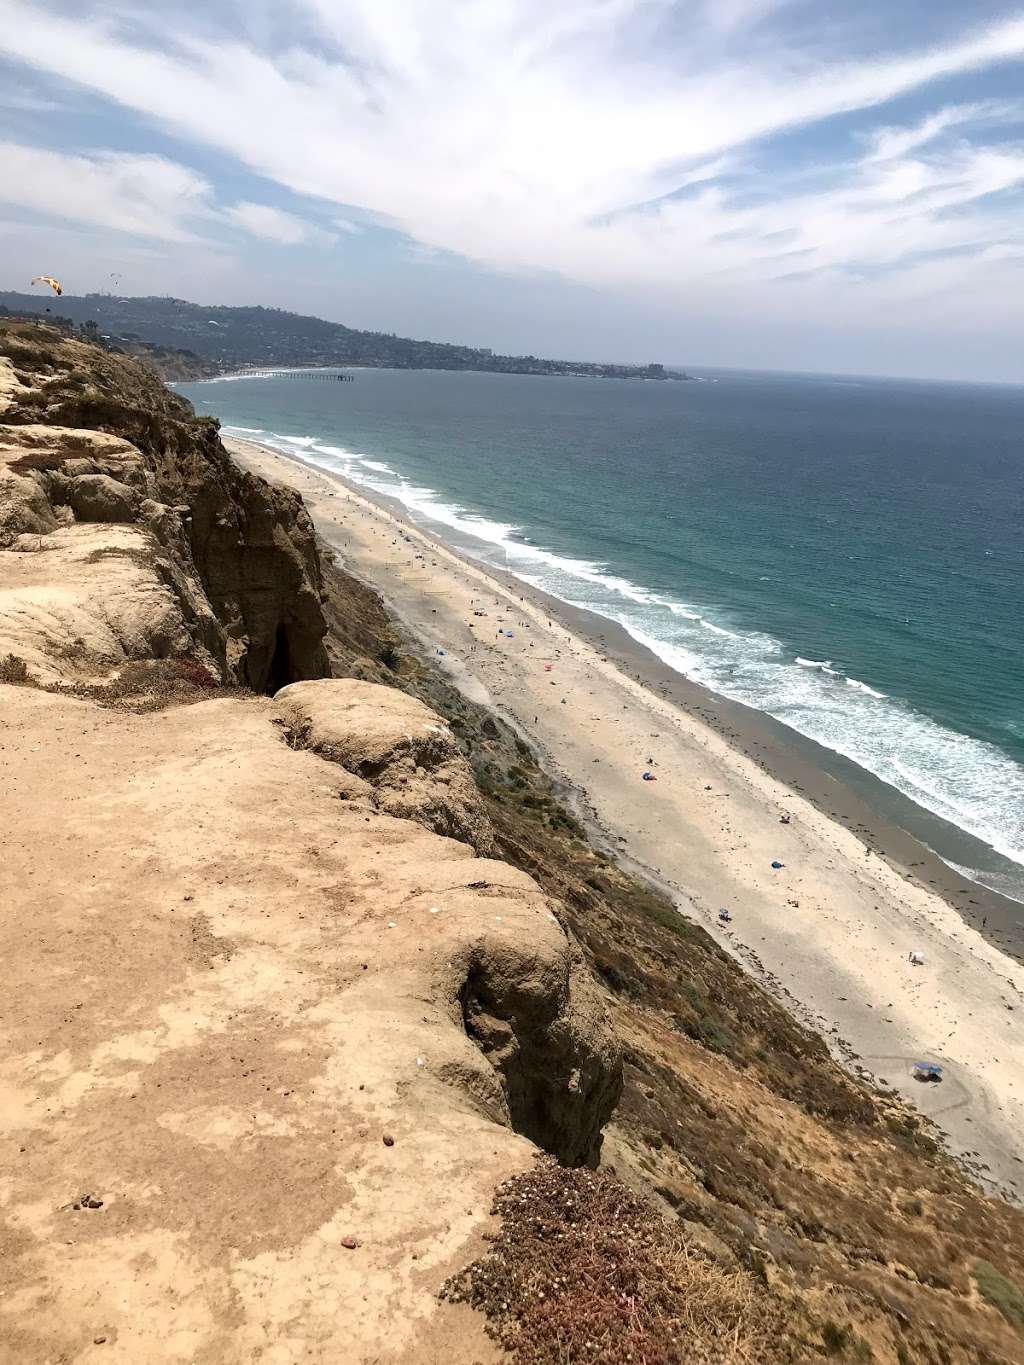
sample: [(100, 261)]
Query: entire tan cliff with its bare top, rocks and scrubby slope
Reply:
[(300, 970)]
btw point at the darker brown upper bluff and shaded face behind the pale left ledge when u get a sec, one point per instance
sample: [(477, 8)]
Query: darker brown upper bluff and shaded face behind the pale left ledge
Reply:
[(94, 437)]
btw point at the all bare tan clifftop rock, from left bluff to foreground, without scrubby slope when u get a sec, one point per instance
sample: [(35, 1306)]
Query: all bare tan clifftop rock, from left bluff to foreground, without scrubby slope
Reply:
[(276, 1026)]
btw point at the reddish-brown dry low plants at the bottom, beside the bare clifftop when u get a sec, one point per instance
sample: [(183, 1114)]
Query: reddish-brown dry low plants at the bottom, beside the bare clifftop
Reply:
[(585, 1271)]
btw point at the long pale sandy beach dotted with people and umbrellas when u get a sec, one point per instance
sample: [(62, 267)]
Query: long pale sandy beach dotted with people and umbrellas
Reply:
[(831, 932)]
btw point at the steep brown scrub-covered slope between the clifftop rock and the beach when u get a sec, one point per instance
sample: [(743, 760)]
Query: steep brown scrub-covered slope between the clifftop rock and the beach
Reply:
[(772, 1161)]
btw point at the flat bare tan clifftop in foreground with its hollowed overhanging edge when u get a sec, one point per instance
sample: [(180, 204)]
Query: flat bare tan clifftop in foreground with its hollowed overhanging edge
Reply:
[(290, 1044)]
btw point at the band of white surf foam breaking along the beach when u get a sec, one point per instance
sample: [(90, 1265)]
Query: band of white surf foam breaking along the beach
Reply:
[(966, 781)]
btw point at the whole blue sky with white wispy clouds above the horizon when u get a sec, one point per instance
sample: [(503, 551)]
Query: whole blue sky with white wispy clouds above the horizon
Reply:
[(749, 184)]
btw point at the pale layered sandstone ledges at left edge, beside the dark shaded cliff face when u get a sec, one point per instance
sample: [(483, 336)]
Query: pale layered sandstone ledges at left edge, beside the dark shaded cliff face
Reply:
[(94, 573)]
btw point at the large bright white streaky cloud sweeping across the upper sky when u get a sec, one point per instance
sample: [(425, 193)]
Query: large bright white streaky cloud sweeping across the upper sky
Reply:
[(615, 143)]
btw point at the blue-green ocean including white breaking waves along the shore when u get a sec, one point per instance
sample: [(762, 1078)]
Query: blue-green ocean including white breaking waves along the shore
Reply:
[(843, 555)]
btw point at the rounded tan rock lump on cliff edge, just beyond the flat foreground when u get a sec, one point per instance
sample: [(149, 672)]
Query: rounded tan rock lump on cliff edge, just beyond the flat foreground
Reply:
[(406, 753)]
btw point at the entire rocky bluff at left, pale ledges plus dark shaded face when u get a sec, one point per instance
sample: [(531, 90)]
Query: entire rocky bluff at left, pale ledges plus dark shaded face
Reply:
[(231, 564)]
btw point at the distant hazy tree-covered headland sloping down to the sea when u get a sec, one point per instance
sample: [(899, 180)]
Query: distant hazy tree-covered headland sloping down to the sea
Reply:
[(223, 339)]
